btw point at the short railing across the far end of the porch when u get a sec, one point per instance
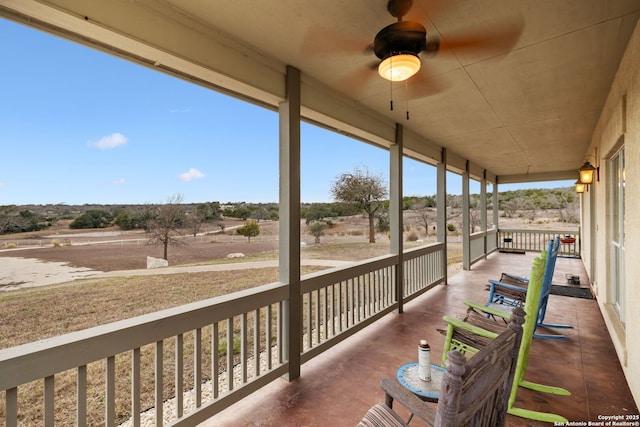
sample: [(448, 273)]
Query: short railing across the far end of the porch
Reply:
[(537, 240)]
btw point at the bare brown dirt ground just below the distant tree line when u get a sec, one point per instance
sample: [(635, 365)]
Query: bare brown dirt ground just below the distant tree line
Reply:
[(129, 250)]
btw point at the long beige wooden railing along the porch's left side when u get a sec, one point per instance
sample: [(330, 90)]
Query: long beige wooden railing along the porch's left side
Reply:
[(232, 346)]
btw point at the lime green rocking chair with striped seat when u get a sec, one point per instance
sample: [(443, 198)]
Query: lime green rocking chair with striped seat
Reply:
[(469, 338)]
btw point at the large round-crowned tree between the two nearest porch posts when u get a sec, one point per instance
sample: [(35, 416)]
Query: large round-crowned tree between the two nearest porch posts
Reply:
[(364, 191)]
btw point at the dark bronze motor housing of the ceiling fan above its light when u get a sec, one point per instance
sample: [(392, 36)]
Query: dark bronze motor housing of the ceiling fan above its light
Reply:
[(404, 37)]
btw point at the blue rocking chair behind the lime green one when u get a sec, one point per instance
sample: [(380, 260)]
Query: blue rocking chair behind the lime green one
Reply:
[(511, 290)]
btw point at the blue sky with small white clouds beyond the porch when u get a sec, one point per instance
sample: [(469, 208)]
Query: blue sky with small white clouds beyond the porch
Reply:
[(78, 126)]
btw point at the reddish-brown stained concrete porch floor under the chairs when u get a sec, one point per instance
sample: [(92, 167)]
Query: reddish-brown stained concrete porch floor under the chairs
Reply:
[(336, 388)]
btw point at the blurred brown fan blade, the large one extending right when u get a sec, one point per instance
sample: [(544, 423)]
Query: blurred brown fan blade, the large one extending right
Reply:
[(494, 40)]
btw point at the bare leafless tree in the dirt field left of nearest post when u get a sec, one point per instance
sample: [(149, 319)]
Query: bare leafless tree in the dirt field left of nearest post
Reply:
[(164, 226)]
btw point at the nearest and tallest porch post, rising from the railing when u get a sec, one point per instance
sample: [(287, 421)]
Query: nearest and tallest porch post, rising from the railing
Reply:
[(289, 228)]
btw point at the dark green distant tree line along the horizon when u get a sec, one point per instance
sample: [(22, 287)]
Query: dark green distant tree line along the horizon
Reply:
[(528, 203)]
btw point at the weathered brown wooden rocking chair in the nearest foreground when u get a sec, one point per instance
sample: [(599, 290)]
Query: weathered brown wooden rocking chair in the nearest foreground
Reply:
[(473, 392)]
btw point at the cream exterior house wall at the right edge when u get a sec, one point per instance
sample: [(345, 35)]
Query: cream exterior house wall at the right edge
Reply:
[(618, 124)]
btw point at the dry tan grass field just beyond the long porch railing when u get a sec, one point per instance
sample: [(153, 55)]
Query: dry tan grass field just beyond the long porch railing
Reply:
[(38, 313)]
